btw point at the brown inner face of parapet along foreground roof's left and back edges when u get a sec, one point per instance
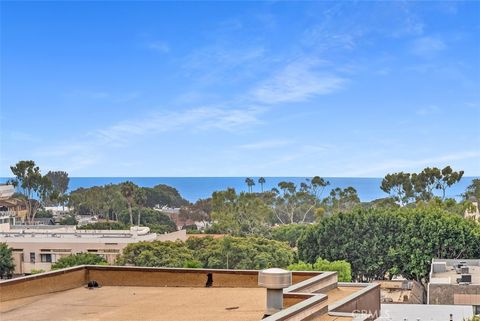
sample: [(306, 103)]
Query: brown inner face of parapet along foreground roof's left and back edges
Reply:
[(70, 278)]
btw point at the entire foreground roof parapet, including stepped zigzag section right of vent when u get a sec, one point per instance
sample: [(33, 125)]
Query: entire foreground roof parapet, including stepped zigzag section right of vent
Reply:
[(301, 301)]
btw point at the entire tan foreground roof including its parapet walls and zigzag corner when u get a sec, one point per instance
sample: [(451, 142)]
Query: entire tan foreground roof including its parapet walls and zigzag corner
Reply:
[(137, 293)]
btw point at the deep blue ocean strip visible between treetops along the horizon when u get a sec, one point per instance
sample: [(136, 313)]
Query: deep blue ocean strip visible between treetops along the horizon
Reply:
[(194, 188)]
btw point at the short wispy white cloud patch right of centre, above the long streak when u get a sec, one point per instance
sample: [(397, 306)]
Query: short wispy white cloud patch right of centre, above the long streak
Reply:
[(298, 81)]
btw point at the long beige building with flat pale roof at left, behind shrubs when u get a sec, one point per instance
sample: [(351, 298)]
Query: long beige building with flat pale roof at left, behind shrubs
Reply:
[(37, 247)]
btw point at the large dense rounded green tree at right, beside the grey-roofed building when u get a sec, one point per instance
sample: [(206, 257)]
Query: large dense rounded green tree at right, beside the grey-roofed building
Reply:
[(381, 243)]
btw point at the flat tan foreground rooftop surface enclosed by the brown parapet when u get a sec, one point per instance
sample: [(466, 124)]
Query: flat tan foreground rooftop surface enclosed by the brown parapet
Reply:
[(129, 303)]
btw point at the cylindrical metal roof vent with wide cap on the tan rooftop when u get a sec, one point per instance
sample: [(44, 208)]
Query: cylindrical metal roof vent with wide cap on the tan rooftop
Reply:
[(275, 280)]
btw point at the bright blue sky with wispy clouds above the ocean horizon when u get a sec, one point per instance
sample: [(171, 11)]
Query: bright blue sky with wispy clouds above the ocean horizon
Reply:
[(240, 88)]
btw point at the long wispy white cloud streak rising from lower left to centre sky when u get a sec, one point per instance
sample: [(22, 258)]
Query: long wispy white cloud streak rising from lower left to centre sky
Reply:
[(88, 150)]
